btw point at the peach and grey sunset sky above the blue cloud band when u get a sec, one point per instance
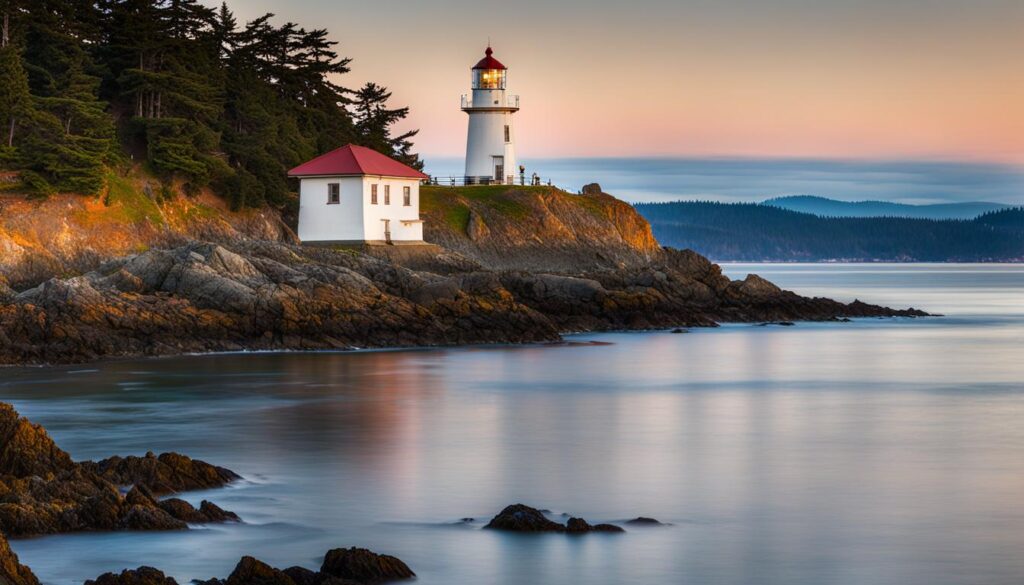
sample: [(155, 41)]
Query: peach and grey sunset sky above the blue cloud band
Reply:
[(846, 80)]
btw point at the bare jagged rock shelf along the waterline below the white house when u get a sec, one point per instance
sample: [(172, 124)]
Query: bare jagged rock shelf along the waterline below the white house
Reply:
[(265, 296)]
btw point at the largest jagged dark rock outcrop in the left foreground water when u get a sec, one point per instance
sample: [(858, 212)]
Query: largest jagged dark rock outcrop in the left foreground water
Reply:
[(42, 491)]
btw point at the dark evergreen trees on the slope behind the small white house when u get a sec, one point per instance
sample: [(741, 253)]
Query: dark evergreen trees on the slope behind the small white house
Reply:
[(91, 85)]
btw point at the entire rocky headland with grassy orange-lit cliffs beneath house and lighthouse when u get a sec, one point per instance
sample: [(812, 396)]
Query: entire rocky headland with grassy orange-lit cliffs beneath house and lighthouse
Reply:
[(514, 266)]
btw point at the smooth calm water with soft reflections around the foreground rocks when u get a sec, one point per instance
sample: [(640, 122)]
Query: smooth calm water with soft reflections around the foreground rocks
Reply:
[(877, 452)]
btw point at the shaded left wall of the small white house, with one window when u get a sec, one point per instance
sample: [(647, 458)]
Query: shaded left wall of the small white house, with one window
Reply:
[(320, 222)]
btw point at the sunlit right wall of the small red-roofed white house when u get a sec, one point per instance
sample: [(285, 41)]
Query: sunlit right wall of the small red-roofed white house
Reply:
[(396, 213)]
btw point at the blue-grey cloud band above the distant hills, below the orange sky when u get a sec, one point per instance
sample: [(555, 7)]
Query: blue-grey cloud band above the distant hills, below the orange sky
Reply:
[(736, 180)]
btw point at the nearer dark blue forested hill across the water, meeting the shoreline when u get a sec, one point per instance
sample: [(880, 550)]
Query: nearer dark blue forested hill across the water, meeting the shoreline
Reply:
[(756, 233)]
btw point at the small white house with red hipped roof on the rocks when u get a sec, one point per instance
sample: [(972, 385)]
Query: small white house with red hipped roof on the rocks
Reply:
[(355, 195)]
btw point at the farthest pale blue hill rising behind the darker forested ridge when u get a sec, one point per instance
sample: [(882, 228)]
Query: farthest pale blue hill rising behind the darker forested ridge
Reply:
[(833, 208)]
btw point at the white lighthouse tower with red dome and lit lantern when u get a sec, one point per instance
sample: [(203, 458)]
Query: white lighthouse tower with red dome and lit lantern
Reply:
[(491, 143)]
